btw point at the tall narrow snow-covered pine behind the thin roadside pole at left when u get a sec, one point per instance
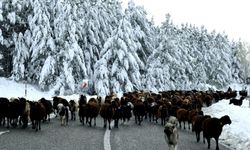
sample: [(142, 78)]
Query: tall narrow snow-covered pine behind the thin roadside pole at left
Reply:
[(40, 44)]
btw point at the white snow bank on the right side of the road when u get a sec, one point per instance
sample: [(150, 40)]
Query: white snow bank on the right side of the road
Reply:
[(236, 135)]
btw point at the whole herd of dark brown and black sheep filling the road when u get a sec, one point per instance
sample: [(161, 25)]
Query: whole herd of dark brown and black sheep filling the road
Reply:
[(170, 107)]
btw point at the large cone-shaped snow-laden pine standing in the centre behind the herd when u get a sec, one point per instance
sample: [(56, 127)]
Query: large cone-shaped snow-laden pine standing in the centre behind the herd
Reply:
[(118, 70)]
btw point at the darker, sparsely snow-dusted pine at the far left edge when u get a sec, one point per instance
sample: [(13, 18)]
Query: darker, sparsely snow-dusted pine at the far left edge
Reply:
[(13, 20)]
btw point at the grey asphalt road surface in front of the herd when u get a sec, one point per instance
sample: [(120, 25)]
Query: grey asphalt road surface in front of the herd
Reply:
[(75, 136)]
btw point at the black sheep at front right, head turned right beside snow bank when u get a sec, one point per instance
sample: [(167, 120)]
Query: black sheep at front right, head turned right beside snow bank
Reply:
[(212, 128)]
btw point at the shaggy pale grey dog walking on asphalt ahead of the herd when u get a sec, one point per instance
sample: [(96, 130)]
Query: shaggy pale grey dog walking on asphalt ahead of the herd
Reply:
[(171, 134)]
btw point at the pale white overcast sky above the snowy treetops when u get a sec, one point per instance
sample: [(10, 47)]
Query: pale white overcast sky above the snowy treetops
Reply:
[(231, 16)]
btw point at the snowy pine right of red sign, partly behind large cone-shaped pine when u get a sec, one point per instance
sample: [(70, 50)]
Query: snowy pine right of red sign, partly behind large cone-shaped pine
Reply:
[(101, 18)]
